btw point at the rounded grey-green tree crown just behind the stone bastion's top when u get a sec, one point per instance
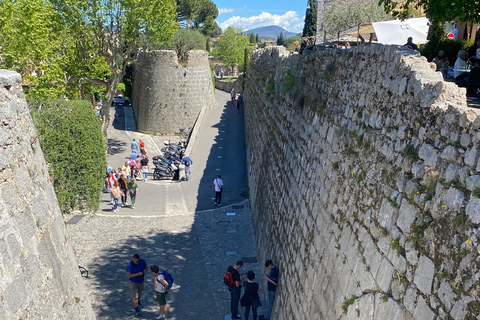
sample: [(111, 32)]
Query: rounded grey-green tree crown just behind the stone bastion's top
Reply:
[(186, 40)]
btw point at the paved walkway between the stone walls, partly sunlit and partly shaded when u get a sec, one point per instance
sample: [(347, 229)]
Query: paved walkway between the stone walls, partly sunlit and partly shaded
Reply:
[(175, 225)]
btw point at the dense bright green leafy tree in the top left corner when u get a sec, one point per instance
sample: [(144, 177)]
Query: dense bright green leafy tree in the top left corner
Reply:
[(33, 42)]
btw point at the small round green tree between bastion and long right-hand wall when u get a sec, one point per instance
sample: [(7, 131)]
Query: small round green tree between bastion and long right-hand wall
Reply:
[(229, 47)]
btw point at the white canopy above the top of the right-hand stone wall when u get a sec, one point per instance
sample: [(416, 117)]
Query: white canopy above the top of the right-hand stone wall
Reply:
[(397, 31)]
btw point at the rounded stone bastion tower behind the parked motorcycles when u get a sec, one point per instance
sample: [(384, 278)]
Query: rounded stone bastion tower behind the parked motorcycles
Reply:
[(168, 96)]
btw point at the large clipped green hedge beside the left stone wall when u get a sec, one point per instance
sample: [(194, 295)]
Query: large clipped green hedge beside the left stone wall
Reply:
[(72, 142)]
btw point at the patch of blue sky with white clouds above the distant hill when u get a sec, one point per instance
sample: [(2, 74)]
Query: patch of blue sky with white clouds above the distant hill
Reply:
[(251, 14)]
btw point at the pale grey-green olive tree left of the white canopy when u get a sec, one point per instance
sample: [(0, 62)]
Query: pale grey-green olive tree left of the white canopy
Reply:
[(341, 16)]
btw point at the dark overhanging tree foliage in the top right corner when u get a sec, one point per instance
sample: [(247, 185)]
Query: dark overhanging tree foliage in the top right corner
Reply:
[(436, 10)]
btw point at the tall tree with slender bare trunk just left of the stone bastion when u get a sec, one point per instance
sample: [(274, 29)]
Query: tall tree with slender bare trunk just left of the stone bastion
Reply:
[(115, 30)]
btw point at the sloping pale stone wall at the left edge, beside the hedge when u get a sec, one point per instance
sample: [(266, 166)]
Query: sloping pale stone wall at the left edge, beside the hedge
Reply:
[(39, 277)]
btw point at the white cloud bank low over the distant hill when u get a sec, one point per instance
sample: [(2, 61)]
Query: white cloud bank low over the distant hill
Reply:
[(289, 21)]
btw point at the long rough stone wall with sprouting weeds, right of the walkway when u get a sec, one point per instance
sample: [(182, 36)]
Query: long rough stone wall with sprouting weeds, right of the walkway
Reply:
[(364, 175)]
